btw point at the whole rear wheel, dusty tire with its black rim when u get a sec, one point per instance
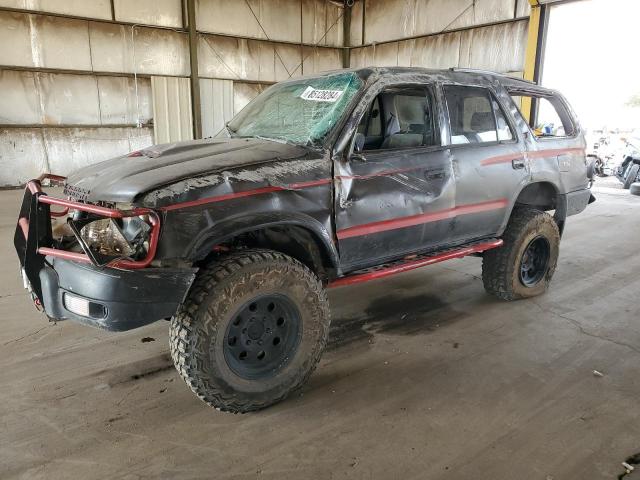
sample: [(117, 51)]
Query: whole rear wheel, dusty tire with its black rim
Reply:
[(524, 265)]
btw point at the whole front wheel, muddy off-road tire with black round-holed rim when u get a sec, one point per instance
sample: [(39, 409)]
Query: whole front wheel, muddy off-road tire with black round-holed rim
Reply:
[(251, 330)]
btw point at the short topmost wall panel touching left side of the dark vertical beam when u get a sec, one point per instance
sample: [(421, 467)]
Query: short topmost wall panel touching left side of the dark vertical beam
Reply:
[(167, 13)]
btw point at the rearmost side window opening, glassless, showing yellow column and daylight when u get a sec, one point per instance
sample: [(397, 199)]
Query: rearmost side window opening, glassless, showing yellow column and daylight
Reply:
[(548, 117)]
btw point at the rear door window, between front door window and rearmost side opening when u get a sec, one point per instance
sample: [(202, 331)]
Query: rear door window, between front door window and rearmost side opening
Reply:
[(475, 116)]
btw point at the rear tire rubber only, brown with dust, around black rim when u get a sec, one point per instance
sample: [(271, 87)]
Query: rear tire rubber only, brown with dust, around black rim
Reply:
[(501, 266)]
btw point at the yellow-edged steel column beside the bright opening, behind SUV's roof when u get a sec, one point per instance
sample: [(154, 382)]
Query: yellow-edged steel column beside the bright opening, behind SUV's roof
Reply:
[(536, 44)]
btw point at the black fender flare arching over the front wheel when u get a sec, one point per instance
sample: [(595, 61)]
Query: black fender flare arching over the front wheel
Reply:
[(218, 232)]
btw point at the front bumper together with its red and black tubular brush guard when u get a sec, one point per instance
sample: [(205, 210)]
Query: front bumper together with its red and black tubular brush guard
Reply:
[(123, 295)]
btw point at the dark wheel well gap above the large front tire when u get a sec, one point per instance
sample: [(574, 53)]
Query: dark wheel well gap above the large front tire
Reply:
[(295, 241)]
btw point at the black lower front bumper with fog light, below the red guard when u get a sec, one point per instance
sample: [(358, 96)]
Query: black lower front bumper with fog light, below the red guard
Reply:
[(116, 300)]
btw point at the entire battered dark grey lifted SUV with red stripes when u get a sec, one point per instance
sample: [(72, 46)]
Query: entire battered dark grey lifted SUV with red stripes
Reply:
[(319, 182)]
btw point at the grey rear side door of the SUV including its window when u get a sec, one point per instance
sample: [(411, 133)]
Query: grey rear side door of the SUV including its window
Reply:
[(487, 157)]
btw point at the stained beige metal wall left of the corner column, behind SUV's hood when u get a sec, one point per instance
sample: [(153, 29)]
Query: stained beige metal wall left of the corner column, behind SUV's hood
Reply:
[(69, 95)]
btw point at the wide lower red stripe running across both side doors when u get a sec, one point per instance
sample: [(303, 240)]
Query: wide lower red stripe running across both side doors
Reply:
[(403, 222)]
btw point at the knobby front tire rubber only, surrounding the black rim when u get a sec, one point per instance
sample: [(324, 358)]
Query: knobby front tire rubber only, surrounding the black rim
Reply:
[(198, 329)]
